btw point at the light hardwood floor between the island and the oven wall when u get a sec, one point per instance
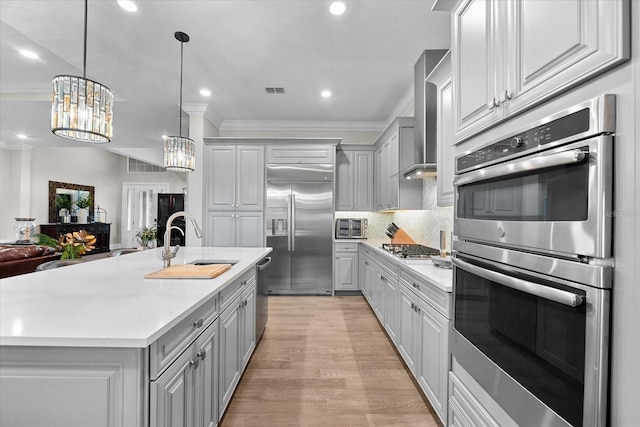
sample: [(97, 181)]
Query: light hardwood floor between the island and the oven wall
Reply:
[(326, 361)]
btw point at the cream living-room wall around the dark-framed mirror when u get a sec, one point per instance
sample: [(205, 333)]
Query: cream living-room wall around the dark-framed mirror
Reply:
[(82, 165)]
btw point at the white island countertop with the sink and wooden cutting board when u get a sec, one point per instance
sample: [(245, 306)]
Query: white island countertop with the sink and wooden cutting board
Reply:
[(108, 302)]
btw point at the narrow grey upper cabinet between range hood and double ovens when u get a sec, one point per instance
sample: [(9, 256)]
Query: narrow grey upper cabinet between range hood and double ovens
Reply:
[(440, 77)]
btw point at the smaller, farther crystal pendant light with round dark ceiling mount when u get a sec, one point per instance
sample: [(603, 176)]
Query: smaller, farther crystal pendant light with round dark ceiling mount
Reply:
[(179, 152)]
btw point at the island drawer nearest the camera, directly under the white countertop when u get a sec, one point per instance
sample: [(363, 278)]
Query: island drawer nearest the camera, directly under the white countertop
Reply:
[(169, 346)]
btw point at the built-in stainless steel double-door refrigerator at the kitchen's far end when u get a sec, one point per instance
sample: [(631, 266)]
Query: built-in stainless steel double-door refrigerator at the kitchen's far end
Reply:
[(299, 223)]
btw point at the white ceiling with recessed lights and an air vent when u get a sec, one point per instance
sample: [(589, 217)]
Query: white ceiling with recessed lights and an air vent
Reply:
[(237, 49)]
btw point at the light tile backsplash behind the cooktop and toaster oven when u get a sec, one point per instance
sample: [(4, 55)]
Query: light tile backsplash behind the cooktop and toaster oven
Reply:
[(423, 226)]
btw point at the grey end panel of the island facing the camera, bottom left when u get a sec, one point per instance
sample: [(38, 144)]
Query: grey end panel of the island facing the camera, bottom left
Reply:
[(93, 387)]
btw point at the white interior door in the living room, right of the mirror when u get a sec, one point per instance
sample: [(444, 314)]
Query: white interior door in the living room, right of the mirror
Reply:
[(139, 208)]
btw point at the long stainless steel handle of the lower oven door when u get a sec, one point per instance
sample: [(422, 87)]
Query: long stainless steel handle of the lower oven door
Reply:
[(553, 294)]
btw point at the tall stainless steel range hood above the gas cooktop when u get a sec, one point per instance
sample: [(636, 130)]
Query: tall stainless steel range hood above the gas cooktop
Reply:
[(423, 163)]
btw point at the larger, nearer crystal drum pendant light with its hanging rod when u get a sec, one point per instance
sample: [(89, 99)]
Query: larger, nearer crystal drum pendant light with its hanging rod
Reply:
[(81, 109)]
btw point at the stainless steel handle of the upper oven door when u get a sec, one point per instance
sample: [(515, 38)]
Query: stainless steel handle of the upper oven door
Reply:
[(522, 165)]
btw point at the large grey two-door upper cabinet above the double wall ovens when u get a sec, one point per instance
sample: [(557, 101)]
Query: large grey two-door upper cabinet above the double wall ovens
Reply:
[(509, 55)]
